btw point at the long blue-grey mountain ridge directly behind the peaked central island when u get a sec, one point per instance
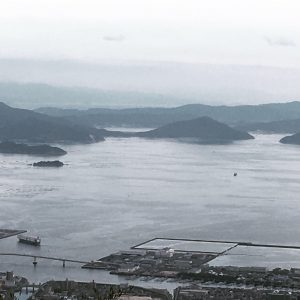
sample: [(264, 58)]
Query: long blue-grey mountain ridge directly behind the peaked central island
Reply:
[(156, 116)]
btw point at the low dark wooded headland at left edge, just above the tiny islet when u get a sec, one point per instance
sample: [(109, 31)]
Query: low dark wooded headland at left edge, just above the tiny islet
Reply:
[(46, 150)]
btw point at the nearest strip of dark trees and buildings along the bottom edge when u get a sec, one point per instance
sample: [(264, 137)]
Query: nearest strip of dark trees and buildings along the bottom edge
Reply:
[(12, 287)]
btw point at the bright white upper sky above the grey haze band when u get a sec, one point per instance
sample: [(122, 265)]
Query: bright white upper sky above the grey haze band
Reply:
[(252, 32)]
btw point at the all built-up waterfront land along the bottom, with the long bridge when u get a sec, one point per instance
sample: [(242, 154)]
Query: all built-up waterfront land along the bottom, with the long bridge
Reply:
[(189, 264)]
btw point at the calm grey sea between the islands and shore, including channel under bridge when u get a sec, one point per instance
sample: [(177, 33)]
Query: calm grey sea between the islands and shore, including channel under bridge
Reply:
[(121, 192)]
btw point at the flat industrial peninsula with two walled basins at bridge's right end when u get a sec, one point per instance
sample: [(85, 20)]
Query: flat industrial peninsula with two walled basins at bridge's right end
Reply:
[(168, 257)]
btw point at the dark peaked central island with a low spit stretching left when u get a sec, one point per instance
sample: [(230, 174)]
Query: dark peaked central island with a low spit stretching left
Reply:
[(202, 130)]
